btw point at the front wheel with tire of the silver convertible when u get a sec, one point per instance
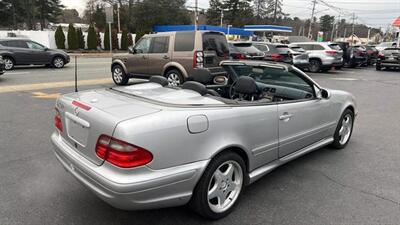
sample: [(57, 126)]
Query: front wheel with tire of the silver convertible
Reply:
[(344, 130)]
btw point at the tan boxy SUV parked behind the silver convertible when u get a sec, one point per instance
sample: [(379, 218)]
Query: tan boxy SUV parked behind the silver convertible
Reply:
[(174, 55)]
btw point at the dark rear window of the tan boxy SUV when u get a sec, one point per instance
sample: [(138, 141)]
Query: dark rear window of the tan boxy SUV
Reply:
[(215, 42)]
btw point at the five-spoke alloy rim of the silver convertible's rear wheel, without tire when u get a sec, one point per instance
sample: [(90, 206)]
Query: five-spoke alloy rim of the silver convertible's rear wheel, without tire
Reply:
[(225, 186)]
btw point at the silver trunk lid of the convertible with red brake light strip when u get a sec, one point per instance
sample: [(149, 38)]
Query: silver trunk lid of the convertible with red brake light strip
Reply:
[(87, 115)]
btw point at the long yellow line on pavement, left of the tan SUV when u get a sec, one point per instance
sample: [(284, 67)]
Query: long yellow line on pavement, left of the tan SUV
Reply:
[(32, 87)]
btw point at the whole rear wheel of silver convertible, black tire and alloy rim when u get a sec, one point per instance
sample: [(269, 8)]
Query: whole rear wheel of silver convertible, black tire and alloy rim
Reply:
[(220, 186)]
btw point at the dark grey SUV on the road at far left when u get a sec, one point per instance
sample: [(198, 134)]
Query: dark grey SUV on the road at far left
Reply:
[(16, 51)]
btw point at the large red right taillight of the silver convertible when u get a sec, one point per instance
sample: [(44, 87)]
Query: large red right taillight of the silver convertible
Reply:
[(120, 153)]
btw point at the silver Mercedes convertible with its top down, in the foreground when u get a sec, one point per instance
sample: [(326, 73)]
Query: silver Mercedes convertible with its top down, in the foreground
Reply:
[(149, 145)]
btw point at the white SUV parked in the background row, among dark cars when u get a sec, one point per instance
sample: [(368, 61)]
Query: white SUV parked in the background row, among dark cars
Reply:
[(323, 55)]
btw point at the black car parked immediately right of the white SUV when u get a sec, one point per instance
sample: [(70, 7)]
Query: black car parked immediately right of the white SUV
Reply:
[(353, 56)]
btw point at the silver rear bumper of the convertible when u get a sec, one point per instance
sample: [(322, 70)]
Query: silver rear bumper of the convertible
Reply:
[(135, 189)]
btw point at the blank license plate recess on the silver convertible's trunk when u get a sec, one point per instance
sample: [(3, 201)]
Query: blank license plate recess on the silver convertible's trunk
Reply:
[(77, 129)]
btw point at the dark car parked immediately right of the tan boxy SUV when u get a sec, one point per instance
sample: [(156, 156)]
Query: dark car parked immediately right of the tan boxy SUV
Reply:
[(244, 50)]
